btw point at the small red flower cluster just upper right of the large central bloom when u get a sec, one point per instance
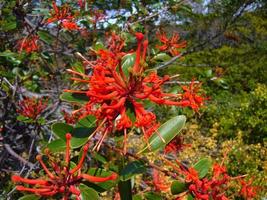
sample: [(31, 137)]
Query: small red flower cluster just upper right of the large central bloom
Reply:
[(171, 45)]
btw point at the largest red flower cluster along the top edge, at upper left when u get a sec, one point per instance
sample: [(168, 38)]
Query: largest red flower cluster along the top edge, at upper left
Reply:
[(64, 16)]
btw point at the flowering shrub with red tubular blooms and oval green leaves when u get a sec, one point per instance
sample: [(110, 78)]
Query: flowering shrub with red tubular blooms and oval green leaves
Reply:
[(106, 85)]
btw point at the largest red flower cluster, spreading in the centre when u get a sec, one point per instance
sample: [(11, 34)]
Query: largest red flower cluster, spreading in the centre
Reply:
[(113, 93)]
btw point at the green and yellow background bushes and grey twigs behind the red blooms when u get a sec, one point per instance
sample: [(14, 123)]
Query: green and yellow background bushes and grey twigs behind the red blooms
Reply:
[(226, 51)]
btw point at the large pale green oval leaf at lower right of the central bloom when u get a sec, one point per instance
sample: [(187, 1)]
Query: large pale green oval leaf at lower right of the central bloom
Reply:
[(167, 131)]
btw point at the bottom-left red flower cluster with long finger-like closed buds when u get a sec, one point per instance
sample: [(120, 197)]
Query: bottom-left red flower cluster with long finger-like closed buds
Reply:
[(63, 180)]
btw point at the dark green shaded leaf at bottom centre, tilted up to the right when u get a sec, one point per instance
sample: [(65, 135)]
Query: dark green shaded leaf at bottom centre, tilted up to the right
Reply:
[(133, 168)]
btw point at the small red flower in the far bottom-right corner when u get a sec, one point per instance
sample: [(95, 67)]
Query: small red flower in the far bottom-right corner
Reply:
[(248, 191)]
